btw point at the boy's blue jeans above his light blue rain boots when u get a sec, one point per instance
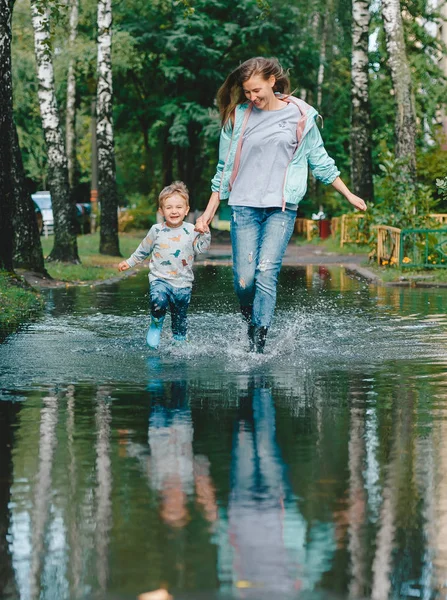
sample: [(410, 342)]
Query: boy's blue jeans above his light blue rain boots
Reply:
[(163, 295)]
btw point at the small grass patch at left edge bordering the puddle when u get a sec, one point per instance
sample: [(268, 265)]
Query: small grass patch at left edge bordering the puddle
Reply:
[(17, 303)]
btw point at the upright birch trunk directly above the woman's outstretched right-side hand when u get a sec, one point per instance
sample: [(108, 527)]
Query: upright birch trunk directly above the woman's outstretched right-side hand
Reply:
[(360, 140)]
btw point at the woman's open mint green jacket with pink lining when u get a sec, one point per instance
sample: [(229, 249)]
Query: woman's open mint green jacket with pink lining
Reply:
[(310, 152)]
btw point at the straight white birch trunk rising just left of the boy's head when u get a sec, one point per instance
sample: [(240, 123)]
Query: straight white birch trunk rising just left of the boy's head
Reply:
[(107, 191)]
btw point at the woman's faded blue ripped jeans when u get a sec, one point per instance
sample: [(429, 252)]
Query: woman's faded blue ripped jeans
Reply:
[(259, 237)]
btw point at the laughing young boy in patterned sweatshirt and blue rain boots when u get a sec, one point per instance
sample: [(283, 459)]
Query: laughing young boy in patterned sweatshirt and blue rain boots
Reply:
[(172, 246)]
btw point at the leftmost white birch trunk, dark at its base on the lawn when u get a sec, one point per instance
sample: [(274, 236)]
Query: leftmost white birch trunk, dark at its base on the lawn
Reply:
[(65, 244)]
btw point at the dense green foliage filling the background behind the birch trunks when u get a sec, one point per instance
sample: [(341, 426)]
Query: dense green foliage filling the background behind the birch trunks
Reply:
[(169, 58)]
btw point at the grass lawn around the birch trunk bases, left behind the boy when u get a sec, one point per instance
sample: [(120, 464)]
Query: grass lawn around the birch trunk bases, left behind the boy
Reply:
[(94, 266)]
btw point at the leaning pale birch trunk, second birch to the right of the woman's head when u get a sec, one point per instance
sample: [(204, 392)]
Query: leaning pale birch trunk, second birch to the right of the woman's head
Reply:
[(405, 126)]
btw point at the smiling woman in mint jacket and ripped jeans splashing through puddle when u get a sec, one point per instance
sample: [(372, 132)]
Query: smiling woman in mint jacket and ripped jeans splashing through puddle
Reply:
[(268, 140)]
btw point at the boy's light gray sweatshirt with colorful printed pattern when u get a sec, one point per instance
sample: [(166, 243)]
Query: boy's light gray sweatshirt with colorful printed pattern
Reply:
[(172, 252)]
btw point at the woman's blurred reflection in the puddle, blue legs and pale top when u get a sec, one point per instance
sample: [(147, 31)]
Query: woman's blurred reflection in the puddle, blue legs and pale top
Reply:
[(271, 547)]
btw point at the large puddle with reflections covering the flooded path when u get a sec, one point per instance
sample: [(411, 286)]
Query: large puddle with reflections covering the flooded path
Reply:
[(316, 471)]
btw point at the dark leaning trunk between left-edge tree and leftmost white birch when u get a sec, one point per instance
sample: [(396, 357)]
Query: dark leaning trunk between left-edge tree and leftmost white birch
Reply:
[(27, 246)]
